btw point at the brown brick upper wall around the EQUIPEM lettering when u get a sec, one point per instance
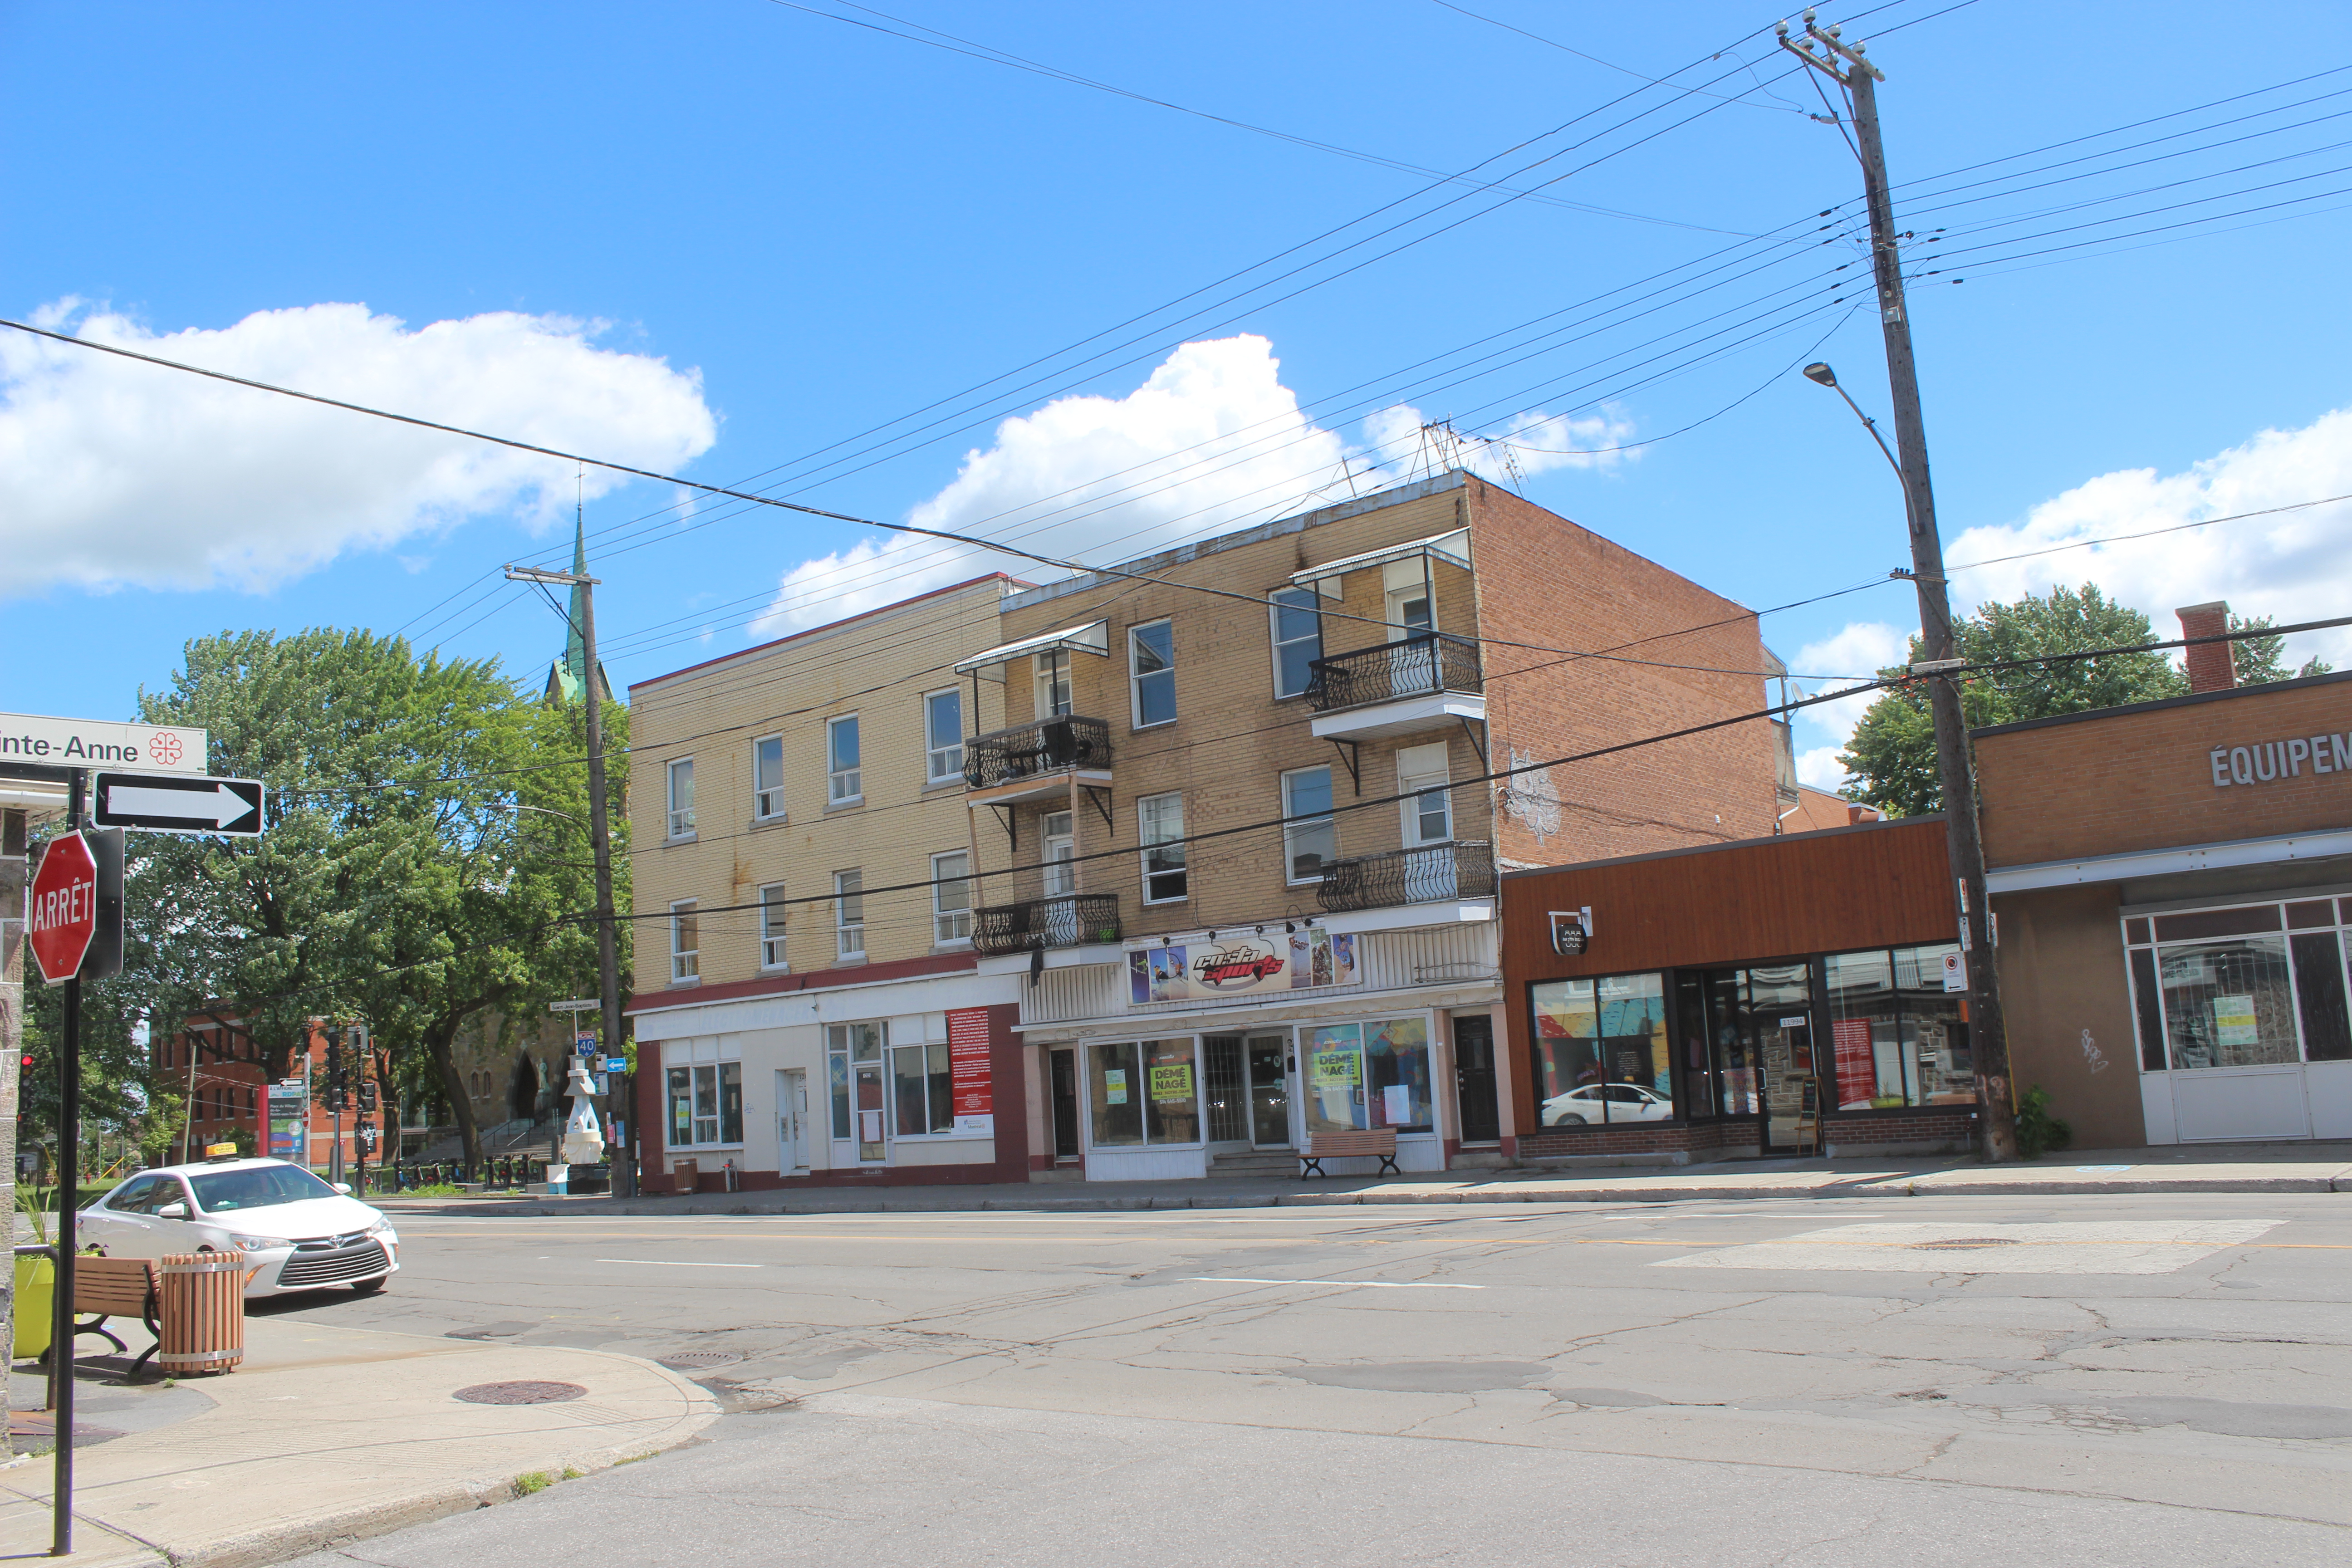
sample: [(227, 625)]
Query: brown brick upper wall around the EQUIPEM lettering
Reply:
[(2144, 779)]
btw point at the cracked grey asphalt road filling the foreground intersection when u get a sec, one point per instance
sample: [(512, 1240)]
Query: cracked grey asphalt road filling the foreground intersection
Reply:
[(1826, 1383)]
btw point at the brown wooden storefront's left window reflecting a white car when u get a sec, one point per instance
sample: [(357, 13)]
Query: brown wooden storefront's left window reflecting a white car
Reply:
[(1601, 1052)]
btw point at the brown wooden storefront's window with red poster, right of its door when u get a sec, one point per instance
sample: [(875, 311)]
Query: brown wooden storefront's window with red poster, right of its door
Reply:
[(1897, 1038)]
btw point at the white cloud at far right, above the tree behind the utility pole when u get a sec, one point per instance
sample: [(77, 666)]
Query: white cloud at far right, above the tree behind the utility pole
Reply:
[(2292, 565)]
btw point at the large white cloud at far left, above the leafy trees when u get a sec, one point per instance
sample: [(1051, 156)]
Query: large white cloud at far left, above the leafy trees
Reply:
[(119, 474)]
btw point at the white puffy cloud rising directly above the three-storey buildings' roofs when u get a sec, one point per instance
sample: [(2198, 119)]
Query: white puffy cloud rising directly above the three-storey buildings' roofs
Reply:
[(1210, 443)]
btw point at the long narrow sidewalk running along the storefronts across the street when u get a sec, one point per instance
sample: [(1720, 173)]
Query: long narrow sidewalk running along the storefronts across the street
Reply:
[(2252, 1167)]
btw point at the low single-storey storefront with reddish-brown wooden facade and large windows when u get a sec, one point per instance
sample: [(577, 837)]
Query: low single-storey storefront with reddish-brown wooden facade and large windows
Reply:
[(1730, 991)]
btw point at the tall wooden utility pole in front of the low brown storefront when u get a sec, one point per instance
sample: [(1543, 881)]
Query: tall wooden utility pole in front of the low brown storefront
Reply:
[(1989, 1038)]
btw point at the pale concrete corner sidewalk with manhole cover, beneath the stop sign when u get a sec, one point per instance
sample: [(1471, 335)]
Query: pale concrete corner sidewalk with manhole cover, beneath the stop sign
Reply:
[(328, 1435)]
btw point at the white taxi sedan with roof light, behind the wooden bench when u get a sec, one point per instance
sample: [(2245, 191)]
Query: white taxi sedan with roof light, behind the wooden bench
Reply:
[(295, 1231)]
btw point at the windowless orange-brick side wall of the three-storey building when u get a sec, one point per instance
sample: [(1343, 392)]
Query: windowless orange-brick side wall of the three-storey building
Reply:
[(1553, 584)]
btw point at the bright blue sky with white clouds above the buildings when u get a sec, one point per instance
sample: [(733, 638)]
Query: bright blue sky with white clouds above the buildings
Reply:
[(726, 236)]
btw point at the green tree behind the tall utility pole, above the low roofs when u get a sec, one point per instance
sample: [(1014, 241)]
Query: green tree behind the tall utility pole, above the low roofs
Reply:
[(1892, 758)]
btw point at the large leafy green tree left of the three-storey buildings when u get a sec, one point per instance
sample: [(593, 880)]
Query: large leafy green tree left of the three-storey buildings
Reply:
[(408, 873)]
